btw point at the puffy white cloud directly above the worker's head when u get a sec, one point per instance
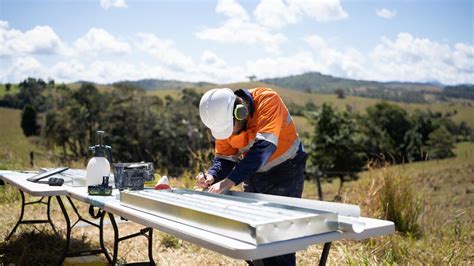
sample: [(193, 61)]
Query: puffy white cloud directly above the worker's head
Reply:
[(242, 32)]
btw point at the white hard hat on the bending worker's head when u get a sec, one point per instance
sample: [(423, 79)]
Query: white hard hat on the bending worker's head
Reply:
[(216, 111)]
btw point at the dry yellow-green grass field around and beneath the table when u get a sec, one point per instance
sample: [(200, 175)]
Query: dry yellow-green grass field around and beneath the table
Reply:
[(447, 223)]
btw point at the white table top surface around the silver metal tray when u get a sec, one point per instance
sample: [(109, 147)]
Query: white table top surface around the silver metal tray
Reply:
[(222, 244)]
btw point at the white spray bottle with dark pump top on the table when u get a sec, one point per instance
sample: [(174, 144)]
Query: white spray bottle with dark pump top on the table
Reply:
[(99, 167)]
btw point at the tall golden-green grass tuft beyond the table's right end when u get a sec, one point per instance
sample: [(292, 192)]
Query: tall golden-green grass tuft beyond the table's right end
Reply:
[(401, 201)]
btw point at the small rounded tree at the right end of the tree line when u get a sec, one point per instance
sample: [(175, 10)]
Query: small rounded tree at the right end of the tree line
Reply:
[(440, 144)]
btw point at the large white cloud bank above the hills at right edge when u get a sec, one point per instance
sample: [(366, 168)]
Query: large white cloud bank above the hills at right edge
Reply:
[(406, 58)]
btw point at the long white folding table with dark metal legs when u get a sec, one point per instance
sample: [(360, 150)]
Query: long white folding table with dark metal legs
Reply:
[(206, 239)]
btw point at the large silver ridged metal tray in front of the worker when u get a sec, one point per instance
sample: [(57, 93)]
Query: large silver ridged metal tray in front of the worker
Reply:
[(249, 220)]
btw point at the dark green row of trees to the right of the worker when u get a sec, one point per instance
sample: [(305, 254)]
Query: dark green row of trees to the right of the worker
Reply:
[(342, 143)]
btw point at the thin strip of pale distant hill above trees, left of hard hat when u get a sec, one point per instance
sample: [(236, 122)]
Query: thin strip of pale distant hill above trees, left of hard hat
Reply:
[(160, 84)]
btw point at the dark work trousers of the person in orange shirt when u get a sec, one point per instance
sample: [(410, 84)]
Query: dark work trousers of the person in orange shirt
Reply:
[(285, 179)]
